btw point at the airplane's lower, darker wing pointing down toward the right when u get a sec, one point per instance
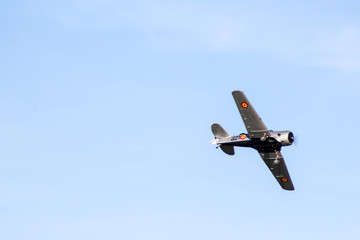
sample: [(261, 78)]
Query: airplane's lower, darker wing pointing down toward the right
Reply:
[(276, 164)]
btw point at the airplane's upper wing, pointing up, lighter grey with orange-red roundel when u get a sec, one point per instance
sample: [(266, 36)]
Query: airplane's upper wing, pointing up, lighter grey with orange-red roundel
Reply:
[(253, 123)]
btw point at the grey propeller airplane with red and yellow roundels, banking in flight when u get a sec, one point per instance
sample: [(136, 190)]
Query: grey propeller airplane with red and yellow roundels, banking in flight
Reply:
[(267, 142)]
